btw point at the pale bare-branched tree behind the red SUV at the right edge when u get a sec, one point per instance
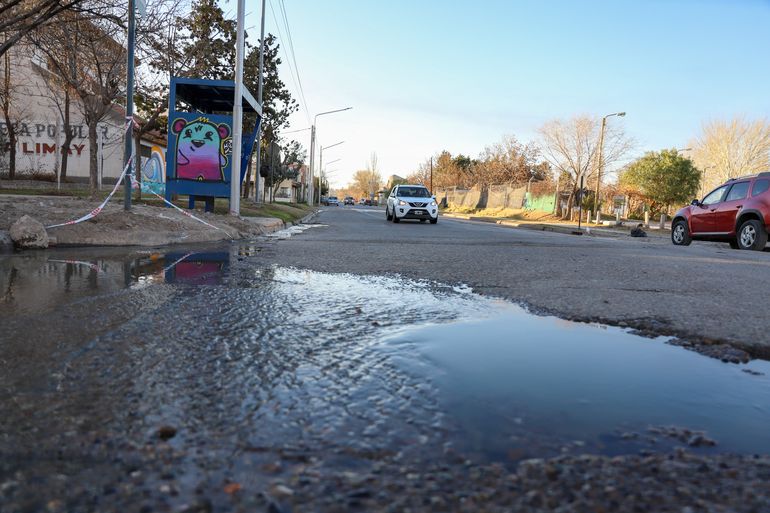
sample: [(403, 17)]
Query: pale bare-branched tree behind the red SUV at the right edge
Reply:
[(728, 149)]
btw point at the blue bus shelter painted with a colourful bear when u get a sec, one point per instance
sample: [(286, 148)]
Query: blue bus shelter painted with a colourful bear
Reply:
[(199, 160)]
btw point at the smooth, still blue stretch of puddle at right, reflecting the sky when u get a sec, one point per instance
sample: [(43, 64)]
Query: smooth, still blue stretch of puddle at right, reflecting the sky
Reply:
[(522, 386)]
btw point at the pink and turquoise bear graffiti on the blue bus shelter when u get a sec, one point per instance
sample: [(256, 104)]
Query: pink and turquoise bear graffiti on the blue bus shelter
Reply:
[(201, 149)]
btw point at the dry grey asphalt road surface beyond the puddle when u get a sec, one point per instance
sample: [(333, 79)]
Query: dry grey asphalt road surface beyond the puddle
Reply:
[(702, 293)]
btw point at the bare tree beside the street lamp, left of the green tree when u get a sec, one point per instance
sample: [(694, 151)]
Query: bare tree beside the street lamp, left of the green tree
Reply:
[(571, 147)]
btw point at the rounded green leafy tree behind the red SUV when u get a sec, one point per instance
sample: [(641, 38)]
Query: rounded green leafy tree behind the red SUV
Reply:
[(664, 178)]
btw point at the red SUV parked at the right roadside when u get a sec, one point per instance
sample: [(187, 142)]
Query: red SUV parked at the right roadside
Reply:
[(737, 212)]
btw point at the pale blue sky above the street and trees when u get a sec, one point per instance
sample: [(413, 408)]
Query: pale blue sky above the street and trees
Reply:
[(424, 76)]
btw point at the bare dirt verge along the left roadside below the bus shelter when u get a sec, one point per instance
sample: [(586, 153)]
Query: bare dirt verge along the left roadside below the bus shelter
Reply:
[(144, 225)]
